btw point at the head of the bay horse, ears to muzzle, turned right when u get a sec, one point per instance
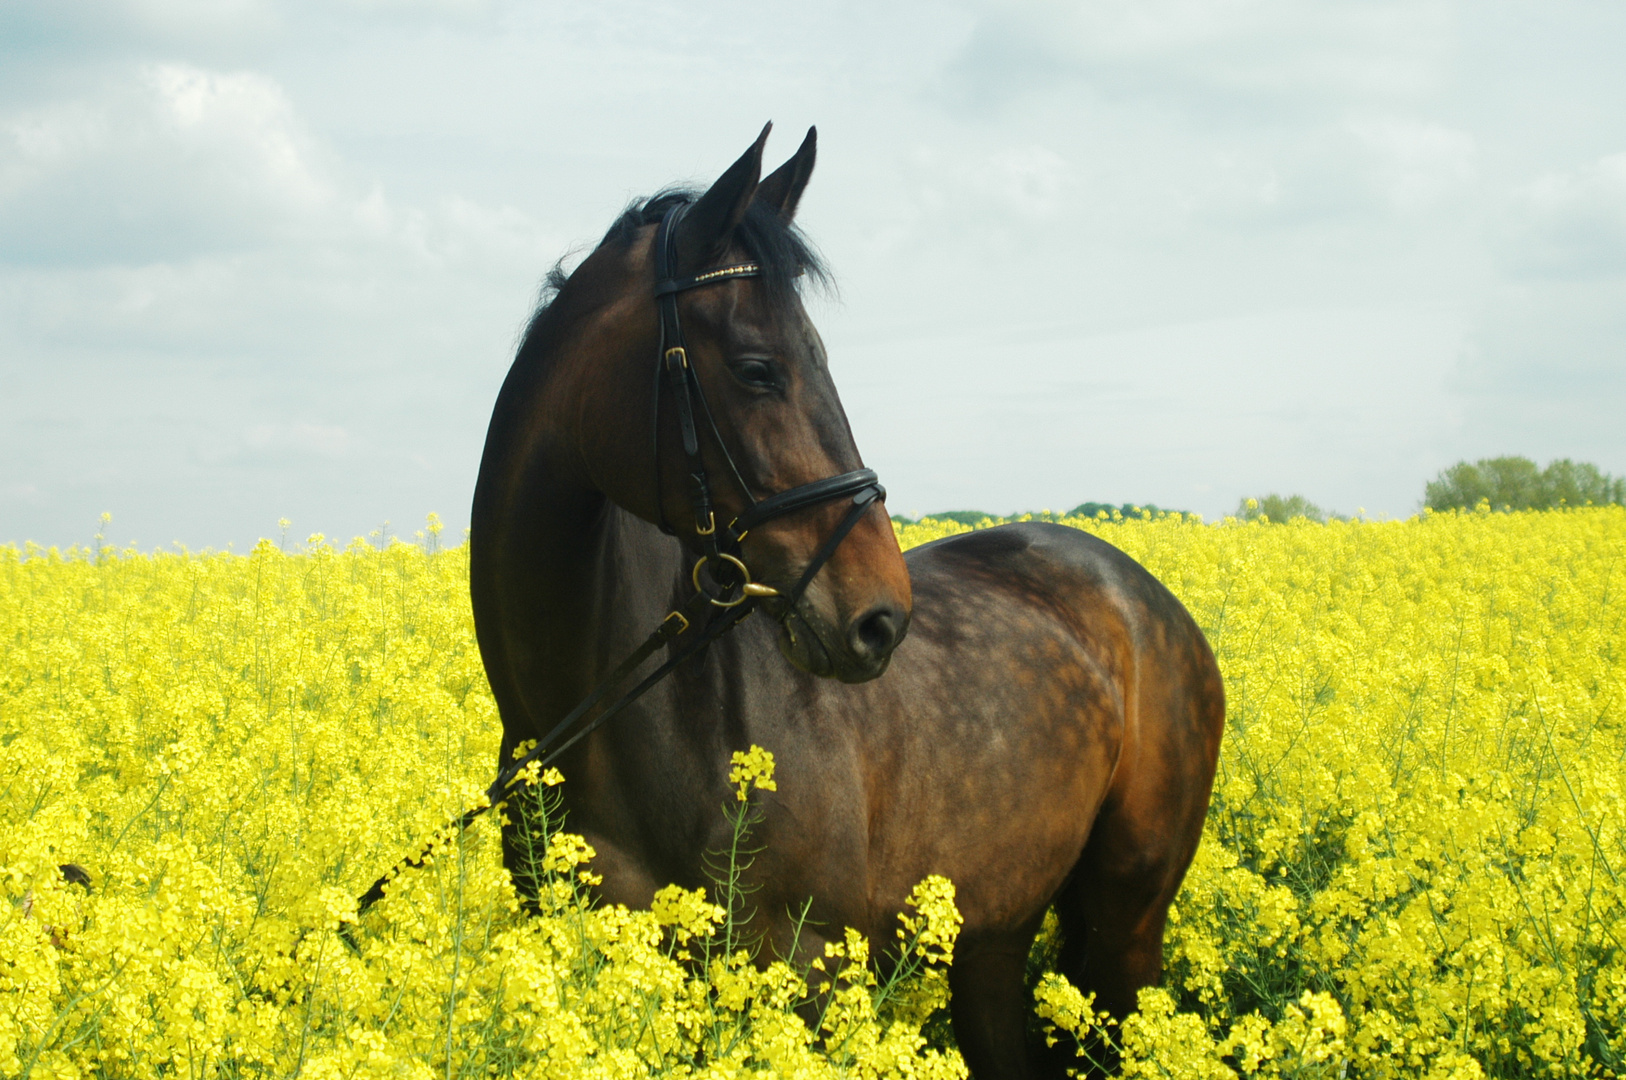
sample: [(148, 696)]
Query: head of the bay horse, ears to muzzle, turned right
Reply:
[(765, 412)]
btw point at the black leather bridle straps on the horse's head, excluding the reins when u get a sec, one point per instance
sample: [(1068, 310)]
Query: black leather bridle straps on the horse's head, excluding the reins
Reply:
[(677, 377)]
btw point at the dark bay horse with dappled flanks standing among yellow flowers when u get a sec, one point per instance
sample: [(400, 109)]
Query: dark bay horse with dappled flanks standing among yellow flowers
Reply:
[(1045, 736)]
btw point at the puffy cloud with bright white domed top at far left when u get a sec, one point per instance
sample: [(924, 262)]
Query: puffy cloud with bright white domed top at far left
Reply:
[(168, 163)]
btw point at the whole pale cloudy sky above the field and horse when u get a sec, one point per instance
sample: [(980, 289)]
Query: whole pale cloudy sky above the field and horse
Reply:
[(271, 261)]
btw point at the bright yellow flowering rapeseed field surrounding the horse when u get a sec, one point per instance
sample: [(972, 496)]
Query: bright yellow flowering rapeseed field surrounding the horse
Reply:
[(1412, 866)]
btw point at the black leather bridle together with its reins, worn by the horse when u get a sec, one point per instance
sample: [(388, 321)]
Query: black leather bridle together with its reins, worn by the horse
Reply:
[(729, 586)]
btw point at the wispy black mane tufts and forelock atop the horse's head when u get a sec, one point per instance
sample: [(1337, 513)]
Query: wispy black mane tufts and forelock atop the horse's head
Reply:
[(781, 250)]
